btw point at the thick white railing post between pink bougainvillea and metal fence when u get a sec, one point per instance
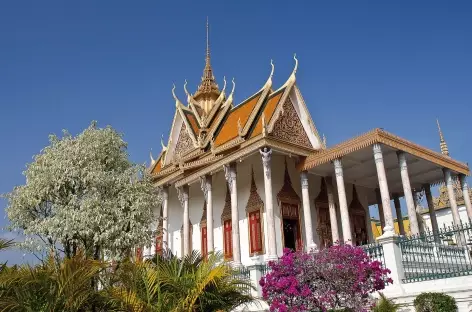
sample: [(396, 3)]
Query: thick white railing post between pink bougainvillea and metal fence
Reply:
[(393, 257)]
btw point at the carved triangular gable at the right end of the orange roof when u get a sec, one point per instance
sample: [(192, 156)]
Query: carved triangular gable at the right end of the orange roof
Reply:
[(288, 126)]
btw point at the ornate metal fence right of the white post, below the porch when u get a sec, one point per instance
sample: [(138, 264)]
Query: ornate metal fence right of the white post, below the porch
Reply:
[(444, 254)]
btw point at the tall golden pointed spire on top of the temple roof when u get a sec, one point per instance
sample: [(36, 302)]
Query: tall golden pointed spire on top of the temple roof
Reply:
[(208, 89)]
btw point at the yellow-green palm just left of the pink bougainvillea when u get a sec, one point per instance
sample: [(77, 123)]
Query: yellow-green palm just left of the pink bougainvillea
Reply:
[(191, 284)]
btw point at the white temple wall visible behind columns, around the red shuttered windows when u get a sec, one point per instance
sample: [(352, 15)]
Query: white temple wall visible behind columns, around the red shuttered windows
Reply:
[(196, 200)]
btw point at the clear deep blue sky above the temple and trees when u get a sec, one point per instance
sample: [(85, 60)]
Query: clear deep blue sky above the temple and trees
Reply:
[(363, 64)]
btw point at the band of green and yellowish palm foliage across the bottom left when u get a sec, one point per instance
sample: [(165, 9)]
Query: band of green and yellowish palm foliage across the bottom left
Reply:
[(168, 284)]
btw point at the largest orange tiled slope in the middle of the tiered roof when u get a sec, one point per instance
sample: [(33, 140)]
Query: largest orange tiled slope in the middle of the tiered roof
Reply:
[(229, 129)]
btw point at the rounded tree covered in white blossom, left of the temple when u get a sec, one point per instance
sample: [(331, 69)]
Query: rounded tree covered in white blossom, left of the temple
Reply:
[(83, 193)]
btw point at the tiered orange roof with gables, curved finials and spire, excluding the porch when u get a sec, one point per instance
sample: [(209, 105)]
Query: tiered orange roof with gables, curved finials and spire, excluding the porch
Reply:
[(210, 126)]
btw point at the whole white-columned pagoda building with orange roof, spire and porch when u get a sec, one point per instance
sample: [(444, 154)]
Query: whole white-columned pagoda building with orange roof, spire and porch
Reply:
[(253, 178)]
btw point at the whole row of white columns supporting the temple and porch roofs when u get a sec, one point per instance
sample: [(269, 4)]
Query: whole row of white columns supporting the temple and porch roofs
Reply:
[(383, 195)]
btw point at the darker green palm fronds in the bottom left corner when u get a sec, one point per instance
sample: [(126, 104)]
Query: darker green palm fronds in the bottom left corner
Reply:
[(50, 286)]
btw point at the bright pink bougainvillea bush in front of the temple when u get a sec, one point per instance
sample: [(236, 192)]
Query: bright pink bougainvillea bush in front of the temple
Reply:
[(341, 276)]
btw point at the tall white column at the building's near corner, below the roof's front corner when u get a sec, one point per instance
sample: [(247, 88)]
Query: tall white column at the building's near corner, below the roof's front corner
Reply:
[(266, 154)]
